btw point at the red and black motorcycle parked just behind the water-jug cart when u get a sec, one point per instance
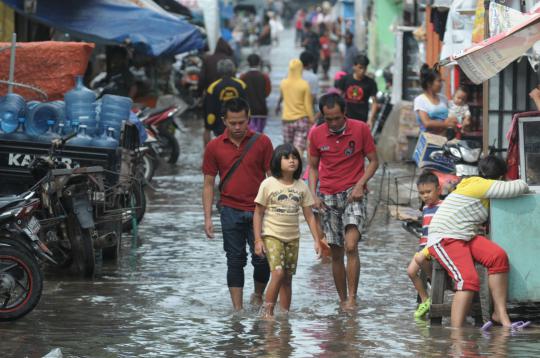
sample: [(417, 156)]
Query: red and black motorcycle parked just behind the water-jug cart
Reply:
[(161, 124)]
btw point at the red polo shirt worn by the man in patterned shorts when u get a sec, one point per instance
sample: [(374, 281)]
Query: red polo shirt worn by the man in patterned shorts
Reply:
[(341, 156)]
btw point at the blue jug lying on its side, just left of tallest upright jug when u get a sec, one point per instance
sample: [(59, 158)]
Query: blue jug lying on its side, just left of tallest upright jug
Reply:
[(42, 116)]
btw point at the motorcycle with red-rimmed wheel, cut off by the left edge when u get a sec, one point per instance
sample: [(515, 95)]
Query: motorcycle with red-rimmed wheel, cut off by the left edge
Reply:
[(21, 251)]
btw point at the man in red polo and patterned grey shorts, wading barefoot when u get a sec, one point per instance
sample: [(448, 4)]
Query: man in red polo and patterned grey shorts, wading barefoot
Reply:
[(340, 146)]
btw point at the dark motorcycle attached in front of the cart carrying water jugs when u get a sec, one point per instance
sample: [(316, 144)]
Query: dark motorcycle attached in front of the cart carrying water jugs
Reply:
[(72, 199)]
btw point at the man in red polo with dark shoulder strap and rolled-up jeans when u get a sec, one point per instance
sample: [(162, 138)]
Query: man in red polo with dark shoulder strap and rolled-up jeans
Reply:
[(237, 196)]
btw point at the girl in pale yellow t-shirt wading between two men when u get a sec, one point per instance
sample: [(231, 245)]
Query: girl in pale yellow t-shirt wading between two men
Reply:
[(276, 223)]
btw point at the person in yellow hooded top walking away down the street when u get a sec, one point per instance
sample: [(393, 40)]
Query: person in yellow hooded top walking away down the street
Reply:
[(297, 107)]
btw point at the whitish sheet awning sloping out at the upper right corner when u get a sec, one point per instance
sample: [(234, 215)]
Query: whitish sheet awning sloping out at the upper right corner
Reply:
[(484, 60)]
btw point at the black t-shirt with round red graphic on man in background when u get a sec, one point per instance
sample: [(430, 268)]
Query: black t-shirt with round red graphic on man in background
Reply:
[(356, 94)]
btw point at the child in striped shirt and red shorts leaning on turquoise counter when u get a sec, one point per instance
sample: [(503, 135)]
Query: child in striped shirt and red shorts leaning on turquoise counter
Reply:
[(455, 242)]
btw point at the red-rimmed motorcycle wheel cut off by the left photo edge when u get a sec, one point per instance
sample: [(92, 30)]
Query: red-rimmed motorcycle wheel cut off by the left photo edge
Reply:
[(21, 283)]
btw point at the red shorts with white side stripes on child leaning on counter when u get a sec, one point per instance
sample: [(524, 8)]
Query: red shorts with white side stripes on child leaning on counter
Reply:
[(458, 257)]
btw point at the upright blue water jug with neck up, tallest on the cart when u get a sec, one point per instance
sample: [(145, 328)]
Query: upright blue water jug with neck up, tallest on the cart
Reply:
[(80, 107)]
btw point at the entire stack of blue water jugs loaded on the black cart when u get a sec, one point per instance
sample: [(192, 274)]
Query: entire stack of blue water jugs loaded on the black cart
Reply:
[(97, 123)]
